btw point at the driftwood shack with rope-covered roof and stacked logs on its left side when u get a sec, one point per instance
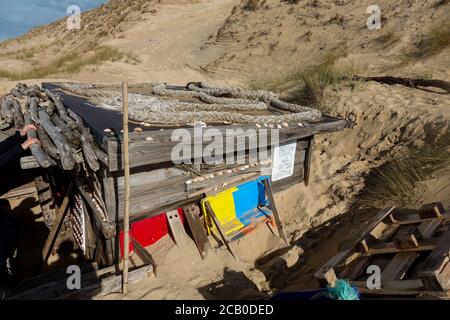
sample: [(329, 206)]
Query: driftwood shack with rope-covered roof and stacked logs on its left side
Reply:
[(186, 143)]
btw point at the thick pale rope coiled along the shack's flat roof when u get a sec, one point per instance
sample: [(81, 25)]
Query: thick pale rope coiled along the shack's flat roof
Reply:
[(224, 104)]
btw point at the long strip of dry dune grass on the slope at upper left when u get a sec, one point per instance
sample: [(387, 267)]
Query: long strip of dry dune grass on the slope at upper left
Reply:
[(72, 63)]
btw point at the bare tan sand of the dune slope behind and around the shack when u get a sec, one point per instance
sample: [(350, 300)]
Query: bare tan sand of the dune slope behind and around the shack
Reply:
[(210, 41)]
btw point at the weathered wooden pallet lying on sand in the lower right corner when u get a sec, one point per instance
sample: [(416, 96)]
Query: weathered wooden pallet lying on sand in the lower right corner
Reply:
[(411, 247)]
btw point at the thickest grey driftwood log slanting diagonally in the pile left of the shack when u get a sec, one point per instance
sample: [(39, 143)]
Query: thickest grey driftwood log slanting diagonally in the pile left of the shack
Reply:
[(64, 150)]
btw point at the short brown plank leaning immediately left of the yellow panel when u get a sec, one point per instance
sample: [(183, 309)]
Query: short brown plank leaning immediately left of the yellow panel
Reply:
[(192, 214)]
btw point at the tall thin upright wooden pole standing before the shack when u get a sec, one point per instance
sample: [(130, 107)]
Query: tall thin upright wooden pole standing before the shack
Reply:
[(126, 216)]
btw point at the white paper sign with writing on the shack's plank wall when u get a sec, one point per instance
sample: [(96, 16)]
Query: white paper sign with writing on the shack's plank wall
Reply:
[(283, 161)]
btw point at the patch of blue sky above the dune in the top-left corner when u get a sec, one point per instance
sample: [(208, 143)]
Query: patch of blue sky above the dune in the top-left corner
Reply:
[(20, 16)]
